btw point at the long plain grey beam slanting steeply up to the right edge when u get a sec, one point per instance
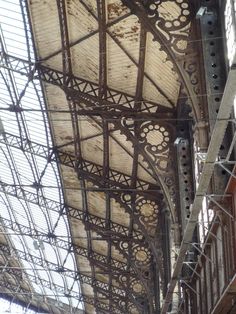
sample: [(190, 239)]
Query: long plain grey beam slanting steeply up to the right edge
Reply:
[(205, 178)]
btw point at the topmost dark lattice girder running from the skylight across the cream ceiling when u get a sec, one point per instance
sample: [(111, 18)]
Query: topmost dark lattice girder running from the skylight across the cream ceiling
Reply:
[(78, 88)]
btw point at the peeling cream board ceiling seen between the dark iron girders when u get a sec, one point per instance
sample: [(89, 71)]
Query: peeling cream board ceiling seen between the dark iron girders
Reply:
[(160, 85)]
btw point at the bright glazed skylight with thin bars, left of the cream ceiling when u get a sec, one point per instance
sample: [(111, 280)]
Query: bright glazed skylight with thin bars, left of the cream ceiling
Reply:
[(39, 236)]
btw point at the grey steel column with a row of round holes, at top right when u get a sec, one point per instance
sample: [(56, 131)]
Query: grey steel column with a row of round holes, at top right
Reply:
[(215, 75)]
